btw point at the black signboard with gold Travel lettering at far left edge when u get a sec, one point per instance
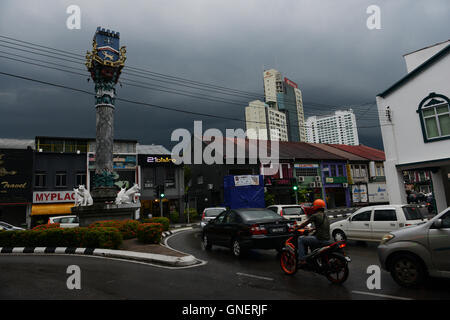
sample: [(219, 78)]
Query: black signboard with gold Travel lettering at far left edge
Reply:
[(16, 172)]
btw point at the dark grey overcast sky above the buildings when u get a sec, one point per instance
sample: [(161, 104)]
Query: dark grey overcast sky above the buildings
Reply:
[(324, 46)]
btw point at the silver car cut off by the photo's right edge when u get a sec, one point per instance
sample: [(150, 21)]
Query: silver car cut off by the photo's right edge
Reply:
[(410, 254)]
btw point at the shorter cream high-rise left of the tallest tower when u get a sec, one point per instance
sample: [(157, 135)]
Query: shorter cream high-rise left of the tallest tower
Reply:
[(267, 122)]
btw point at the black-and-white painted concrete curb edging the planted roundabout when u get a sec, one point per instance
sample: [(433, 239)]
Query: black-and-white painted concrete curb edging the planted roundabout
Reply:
[(188, 260)]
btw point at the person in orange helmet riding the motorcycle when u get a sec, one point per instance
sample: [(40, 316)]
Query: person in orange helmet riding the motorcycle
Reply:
[(322, 227)]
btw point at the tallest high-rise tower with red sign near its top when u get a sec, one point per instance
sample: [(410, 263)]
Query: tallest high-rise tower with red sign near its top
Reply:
[(284, 95)]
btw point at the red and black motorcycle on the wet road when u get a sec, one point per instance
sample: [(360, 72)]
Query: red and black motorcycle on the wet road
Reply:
[(329, 260)]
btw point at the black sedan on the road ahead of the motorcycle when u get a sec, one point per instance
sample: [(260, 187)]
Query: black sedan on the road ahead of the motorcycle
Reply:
[(244, 229)]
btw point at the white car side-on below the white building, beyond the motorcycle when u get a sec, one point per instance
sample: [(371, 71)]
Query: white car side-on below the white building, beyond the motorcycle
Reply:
[(372, 223)]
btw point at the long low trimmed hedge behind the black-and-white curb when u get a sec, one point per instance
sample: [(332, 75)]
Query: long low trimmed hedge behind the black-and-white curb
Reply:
[(107, 238)]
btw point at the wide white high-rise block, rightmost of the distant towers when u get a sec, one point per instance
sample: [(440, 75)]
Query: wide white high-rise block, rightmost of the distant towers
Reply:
[(339, 128)]
